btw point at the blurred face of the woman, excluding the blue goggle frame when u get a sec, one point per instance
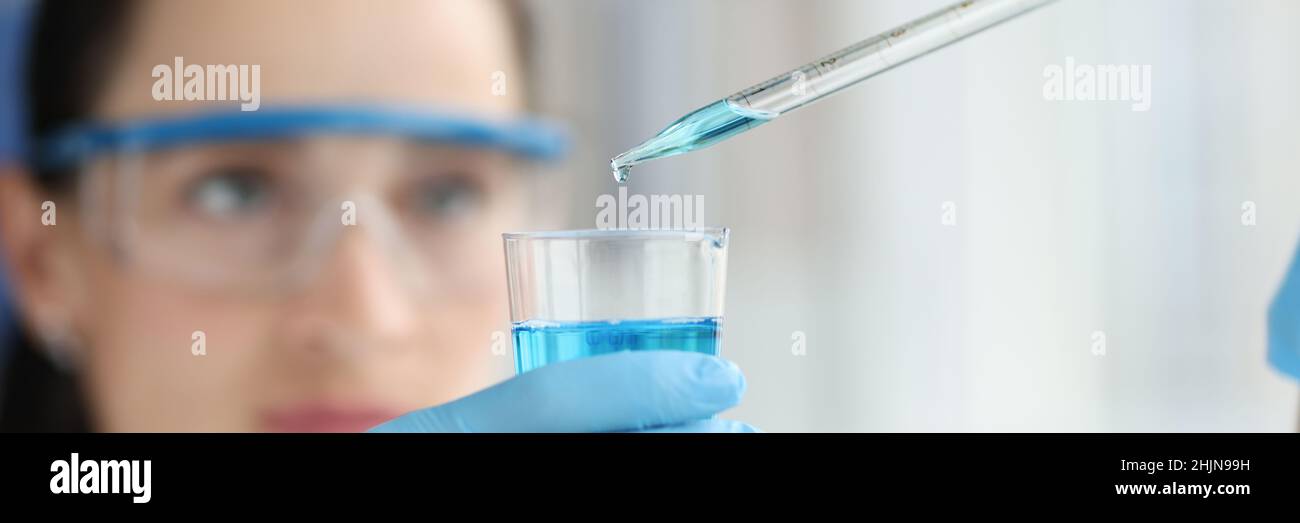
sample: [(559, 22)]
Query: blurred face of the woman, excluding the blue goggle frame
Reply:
[(354, 343)]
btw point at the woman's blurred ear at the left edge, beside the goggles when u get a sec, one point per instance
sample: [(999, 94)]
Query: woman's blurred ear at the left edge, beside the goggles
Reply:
[(29, 240)]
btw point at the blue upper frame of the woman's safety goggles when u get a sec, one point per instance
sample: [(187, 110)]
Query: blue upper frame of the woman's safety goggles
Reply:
[(77, 145)]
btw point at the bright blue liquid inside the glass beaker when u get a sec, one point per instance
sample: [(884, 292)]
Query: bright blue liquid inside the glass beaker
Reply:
[(544, 343)]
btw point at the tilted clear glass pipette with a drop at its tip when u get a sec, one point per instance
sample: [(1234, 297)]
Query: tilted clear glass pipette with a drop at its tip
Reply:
[(760, 105)]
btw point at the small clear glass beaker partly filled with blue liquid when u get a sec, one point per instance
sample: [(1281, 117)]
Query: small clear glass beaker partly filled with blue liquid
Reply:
[(586, 293)]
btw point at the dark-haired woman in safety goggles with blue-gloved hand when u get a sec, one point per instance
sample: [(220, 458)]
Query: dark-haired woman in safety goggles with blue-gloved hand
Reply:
[(327, 262)]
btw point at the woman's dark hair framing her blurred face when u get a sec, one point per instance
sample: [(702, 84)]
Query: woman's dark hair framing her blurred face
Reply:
[(73, 49)]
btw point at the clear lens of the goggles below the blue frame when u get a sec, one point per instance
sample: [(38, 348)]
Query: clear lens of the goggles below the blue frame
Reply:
[(261, 215)]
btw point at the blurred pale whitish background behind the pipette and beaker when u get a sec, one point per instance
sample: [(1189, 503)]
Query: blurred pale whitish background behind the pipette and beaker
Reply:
[(1072, 218)]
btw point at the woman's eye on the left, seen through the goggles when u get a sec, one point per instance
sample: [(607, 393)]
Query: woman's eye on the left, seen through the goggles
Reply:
[(229, 192)]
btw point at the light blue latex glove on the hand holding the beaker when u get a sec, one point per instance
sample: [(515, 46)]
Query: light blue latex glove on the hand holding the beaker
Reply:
[(657, 391)]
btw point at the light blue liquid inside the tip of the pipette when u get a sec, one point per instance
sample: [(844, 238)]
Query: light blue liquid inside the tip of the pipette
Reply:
[(700, 129)]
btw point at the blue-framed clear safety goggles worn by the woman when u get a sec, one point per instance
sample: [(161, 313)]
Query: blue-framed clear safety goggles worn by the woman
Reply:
[(257, 201)]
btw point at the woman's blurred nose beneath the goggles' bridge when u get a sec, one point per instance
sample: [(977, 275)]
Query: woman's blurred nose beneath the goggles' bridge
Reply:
[(357, 299)]
